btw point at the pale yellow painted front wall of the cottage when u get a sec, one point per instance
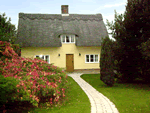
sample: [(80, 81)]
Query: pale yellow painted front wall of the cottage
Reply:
[(79, 61)]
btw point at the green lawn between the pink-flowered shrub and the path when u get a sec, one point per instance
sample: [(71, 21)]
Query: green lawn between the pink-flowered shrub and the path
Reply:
[(77, 101)]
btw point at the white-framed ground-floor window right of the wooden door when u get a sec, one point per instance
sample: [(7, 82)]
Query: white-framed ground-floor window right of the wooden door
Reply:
[(91, 58)]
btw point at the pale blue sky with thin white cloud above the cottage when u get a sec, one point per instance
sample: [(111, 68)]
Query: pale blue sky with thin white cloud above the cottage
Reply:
[(106, 7)]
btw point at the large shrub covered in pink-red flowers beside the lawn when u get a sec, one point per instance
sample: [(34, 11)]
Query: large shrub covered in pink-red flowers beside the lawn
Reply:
[(37, 81)]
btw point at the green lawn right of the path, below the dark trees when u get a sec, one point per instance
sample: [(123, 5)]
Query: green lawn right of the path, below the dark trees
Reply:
[(127, 97)]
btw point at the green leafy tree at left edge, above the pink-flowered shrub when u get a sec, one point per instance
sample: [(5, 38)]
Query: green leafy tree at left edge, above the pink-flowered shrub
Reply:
[(7, 30)]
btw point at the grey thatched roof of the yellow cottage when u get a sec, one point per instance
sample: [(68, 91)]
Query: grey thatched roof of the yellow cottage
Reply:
[(43, 30)]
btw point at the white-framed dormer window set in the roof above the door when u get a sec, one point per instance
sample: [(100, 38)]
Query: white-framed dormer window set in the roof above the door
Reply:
[(68, 38)]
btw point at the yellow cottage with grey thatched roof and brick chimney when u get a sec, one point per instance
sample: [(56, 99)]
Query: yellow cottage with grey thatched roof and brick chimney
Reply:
[(70, 41)]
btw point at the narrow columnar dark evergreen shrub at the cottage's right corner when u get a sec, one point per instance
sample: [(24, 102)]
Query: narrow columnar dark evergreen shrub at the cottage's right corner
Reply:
[(107, 61)]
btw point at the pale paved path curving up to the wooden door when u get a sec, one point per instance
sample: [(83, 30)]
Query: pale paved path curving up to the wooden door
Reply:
[(99, 103)]
